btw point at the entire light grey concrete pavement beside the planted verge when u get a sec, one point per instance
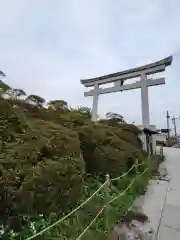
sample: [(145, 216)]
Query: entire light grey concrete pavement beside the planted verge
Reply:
[(161, 203)]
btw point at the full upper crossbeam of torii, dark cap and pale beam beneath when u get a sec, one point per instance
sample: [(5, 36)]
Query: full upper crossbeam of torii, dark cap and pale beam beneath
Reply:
[(148, 69)]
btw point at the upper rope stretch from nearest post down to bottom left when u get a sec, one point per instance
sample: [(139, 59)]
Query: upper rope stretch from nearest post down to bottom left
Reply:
[(69, 214)]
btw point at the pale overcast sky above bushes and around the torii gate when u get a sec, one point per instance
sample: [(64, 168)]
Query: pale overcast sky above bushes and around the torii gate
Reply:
[(47, 46)]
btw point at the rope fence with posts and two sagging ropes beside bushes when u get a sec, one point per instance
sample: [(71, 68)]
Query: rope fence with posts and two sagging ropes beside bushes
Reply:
[(106, 187)]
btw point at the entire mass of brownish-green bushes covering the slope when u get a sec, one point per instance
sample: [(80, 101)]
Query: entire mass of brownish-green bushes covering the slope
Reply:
[(47, 155)]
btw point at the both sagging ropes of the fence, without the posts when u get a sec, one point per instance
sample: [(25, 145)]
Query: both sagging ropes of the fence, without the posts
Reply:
[(87, 200)]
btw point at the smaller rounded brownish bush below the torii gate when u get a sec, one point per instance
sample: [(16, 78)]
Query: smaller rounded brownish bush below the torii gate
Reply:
[(105, 151)]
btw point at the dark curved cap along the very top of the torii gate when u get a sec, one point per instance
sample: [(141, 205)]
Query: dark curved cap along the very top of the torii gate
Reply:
[(166, 62)]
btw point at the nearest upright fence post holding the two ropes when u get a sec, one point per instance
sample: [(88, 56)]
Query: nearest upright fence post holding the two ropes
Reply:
[(107, 203)]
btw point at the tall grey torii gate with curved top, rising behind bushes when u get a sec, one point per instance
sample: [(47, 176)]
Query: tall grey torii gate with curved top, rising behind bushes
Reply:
[(119, 78)]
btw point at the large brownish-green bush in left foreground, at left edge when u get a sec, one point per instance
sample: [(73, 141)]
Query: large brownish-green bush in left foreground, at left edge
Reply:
[(41, 168)]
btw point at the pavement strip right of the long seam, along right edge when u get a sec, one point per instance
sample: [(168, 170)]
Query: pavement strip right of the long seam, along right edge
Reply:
[(170, 222)]
